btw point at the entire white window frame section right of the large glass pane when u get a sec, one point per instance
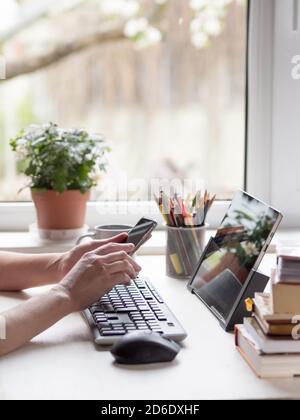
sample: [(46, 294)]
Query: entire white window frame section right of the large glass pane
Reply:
[(274, 107)]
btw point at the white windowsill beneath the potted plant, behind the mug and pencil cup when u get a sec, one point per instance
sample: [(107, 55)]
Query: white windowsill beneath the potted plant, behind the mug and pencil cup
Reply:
[(25, 242)]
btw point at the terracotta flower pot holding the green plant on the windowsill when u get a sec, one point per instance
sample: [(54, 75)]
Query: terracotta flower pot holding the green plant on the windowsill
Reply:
[(60, 211)]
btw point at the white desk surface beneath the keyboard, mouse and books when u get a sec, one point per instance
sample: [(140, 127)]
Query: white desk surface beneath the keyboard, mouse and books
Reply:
[(63, 362)]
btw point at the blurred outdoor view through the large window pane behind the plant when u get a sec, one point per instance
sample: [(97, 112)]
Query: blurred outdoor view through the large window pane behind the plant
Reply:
[(162, 80)]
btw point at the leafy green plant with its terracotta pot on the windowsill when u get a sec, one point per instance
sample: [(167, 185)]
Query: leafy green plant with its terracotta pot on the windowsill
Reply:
[(62, 165)]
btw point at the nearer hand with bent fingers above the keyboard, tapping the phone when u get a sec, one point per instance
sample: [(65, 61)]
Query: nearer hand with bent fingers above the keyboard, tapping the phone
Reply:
[(97, 272)]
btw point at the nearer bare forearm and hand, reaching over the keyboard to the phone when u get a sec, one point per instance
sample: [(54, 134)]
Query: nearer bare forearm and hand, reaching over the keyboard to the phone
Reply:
[(95, 274)]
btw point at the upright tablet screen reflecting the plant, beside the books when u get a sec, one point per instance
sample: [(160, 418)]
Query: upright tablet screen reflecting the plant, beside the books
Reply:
[(233, 252)]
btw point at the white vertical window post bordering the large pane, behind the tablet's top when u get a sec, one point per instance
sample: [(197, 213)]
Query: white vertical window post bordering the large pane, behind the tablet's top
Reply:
[(260, 98)]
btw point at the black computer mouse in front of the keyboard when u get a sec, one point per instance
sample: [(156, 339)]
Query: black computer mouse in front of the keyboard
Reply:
[(140, 348)]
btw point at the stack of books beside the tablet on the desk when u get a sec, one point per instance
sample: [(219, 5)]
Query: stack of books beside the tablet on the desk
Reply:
[(270, 340)]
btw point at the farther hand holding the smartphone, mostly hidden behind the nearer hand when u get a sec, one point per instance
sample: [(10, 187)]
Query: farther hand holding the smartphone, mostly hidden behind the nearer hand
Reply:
[(70, 258)]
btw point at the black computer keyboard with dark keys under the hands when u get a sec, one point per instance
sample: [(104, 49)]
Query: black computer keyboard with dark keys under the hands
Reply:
[(125, 309)]
